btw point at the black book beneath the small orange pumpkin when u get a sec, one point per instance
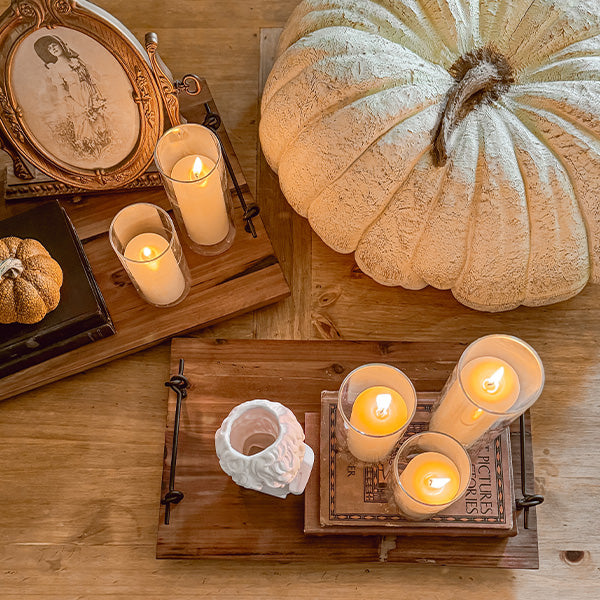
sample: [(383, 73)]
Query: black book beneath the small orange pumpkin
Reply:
[(81, 316)]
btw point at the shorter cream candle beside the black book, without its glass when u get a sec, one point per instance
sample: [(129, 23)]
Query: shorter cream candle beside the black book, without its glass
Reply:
[(159, 277)]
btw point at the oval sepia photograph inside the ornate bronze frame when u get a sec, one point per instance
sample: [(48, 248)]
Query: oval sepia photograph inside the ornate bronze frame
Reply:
[(76, 99)]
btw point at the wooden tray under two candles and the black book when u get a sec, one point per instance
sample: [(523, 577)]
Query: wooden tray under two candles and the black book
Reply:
[(246, 277)]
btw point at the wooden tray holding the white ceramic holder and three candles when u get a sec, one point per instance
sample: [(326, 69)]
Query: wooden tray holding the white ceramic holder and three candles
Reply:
[(218, 519)]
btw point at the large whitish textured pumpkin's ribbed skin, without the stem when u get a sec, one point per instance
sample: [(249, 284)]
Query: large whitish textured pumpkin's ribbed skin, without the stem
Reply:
[(348, 117)]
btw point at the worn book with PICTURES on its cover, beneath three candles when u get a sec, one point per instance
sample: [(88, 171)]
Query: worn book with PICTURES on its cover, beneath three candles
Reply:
[(357, 498)]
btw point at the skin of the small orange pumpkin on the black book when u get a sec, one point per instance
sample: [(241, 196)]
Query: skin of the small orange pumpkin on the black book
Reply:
[(36, 291)]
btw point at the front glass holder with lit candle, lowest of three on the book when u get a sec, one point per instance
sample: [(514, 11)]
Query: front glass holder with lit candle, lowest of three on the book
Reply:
[(430, 472)]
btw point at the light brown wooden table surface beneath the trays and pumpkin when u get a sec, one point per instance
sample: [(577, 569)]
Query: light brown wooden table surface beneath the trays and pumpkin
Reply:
[(81, 460)]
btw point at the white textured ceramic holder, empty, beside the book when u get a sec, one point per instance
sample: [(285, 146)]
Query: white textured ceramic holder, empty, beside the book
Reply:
[(260, 445)]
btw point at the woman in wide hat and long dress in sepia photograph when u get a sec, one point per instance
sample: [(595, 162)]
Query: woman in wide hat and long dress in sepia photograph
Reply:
[(82, 124)]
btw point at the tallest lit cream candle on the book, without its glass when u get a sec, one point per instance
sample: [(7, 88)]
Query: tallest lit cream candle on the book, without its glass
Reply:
[(491, 384)]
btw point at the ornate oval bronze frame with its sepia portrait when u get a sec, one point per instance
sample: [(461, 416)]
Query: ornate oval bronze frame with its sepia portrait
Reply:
[(78, 97)]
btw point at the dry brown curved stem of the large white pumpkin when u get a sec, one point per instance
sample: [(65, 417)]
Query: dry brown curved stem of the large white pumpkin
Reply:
[(482, 76)]
